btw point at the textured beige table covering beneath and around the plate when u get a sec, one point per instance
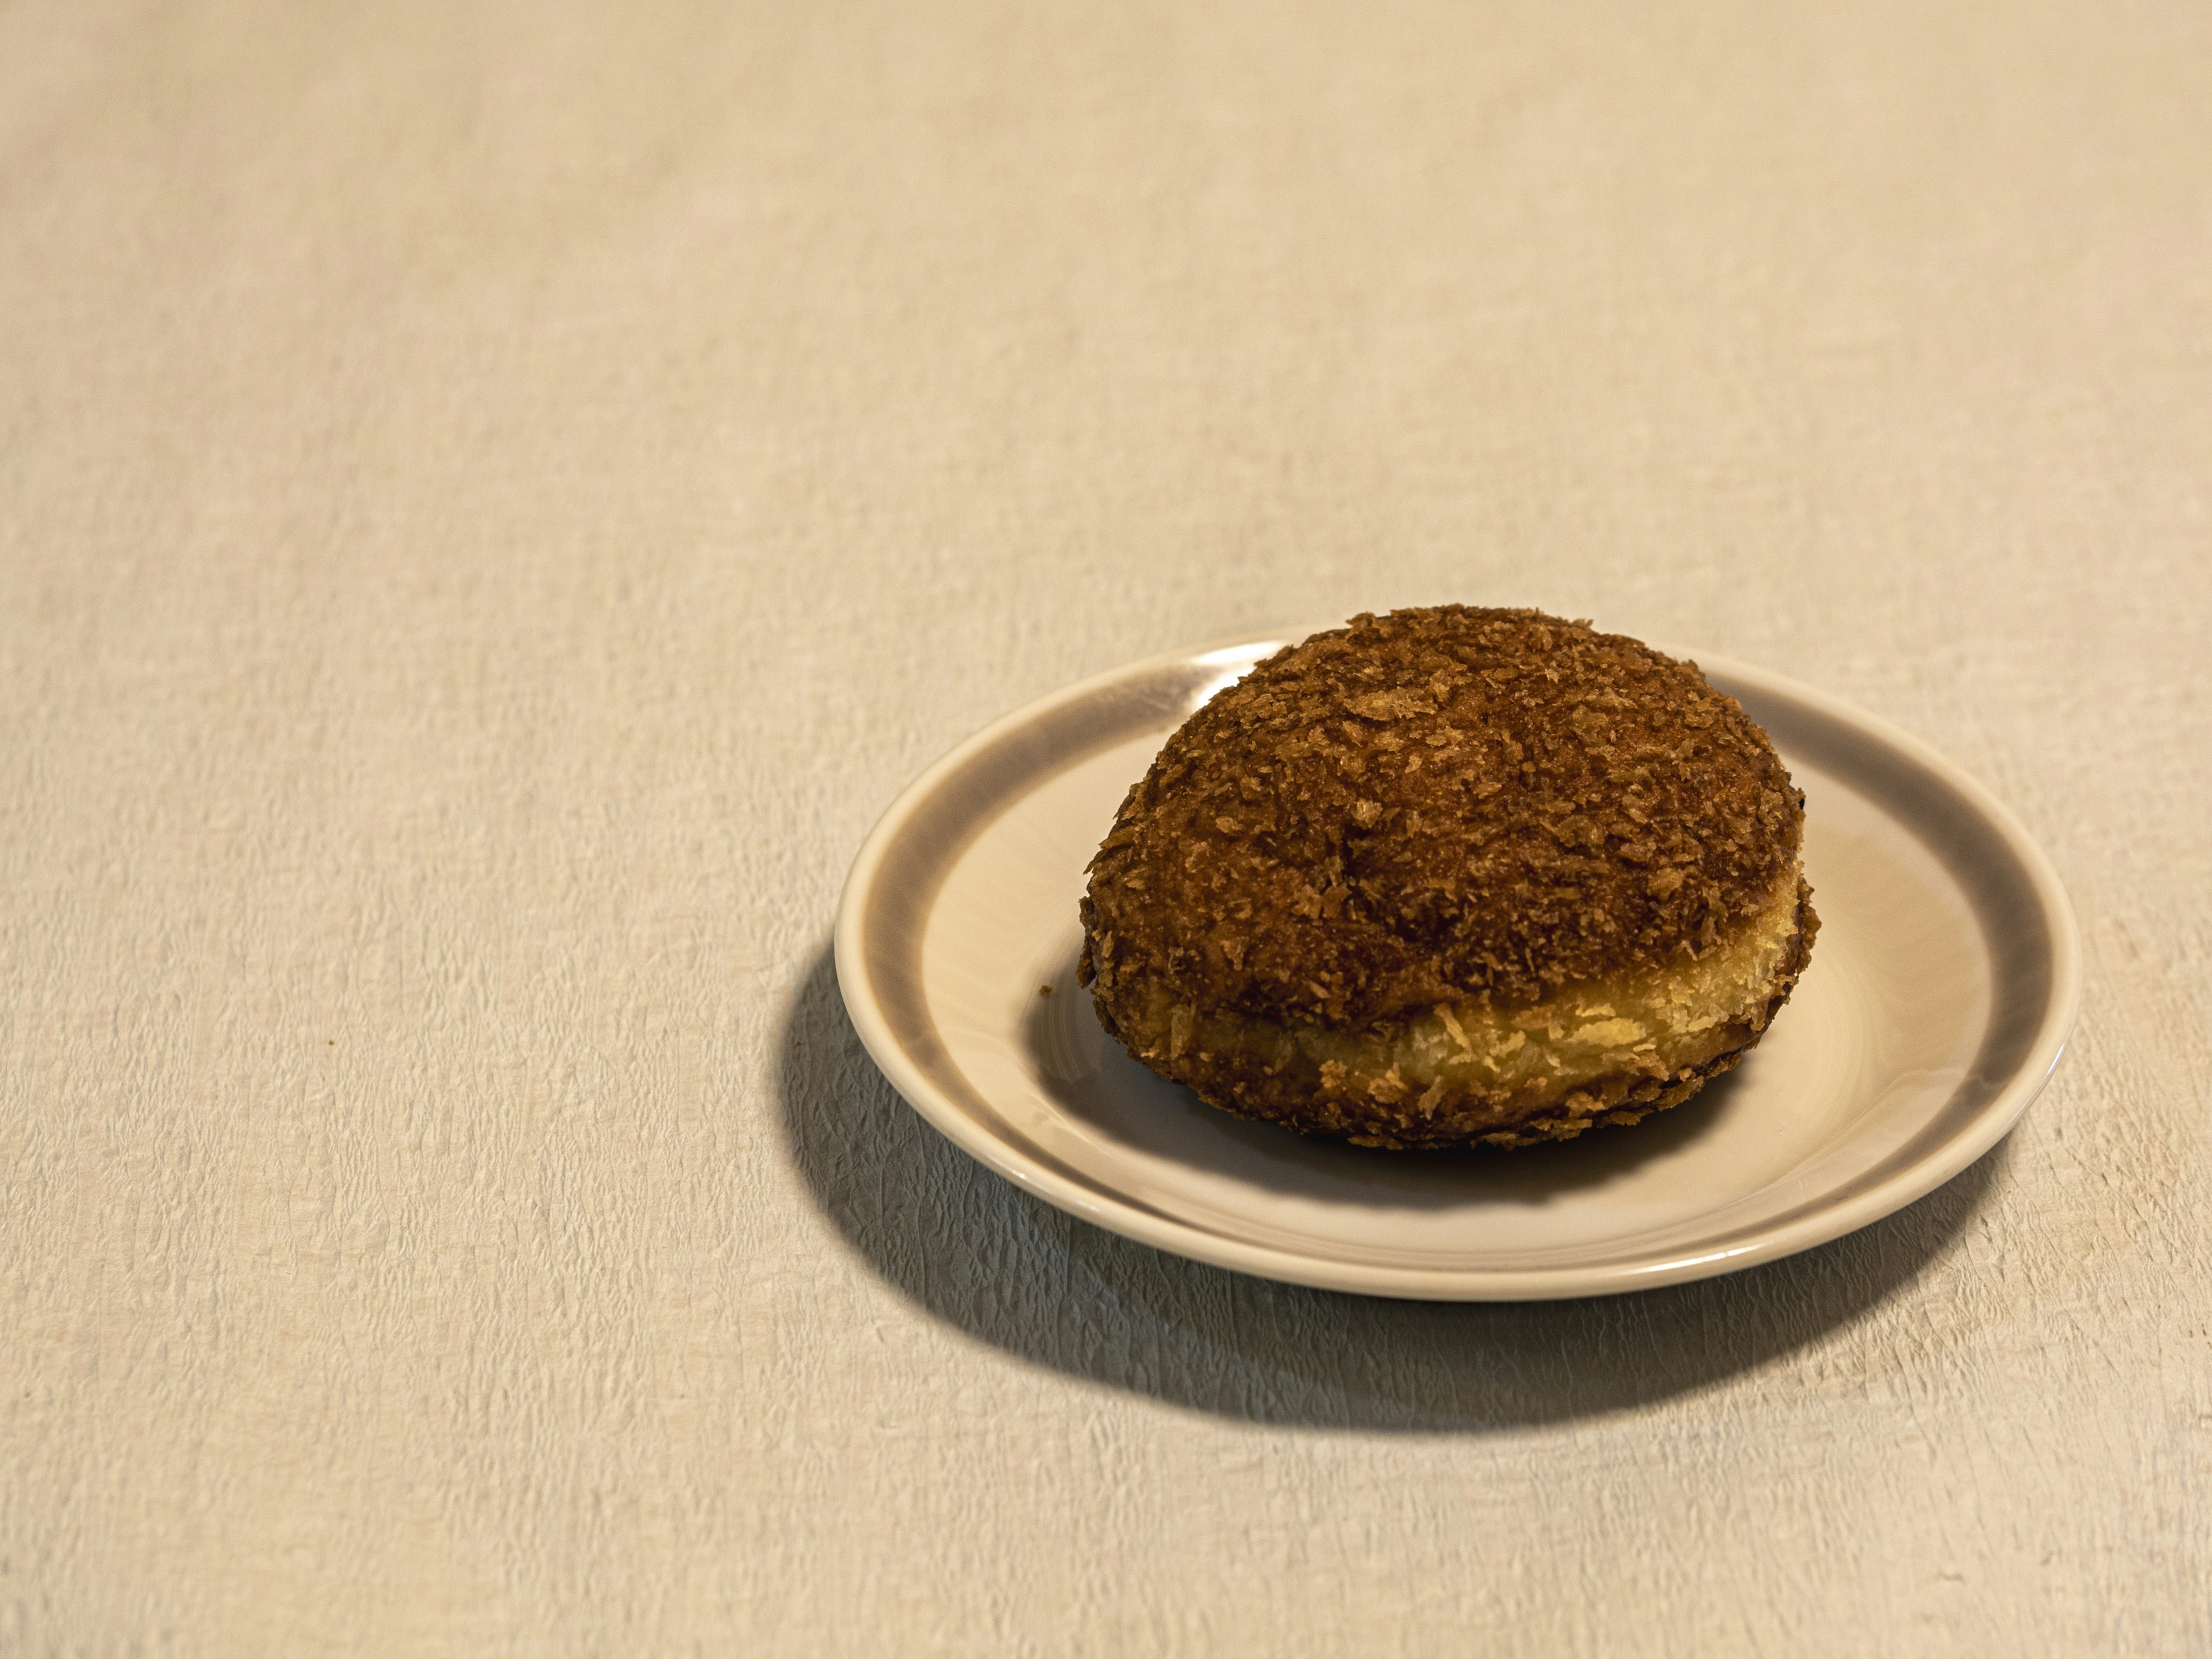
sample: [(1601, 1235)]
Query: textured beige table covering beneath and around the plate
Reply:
[(497, 499)]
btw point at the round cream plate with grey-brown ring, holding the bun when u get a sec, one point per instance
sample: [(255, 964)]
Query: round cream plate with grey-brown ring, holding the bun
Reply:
[(1937, 1005)]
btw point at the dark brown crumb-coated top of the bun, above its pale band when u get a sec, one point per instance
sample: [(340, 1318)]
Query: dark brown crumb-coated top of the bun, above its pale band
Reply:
[(1441, 806)]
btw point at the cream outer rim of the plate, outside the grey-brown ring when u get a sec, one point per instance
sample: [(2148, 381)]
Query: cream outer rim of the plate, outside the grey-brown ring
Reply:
[(1178, 1238)]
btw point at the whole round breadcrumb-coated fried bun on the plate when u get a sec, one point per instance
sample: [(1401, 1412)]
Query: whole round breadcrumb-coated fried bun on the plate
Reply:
[(1452, 877)]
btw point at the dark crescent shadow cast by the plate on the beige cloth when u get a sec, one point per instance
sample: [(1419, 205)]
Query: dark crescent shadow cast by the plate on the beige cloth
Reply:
[(1050, 1288)]
